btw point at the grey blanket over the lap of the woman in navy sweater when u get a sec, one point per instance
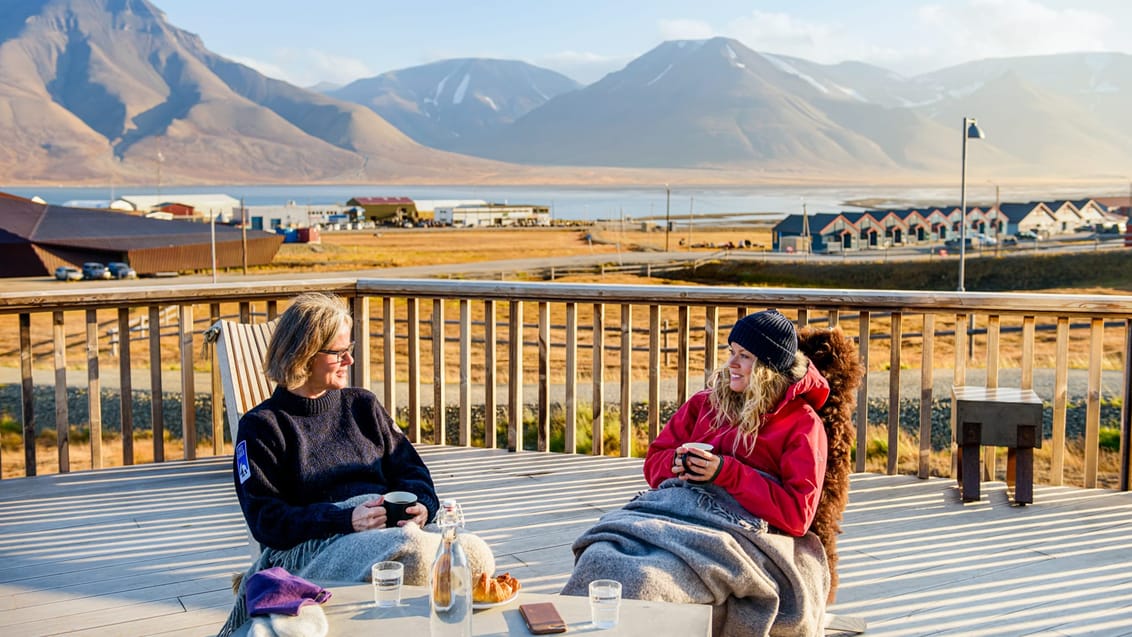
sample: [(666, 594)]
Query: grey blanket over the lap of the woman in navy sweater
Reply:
[(348, 558)]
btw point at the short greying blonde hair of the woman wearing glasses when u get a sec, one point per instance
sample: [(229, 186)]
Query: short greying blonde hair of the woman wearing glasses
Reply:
[(308, 325)]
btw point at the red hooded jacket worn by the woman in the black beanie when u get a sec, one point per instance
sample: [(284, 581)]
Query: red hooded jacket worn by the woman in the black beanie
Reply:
[(792, 447)]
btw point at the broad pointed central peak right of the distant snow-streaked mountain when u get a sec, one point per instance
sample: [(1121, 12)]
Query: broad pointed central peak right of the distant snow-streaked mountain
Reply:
[(711, 104)]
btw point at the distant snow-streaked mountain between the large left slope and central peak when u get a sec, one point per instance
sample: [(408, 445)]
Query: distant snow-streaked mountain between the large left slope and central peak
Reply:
[(440, 104)]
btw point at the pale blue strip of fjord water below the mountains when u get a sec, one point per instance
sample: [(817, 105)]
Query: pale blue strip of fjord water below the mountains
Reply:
[(567, 203)]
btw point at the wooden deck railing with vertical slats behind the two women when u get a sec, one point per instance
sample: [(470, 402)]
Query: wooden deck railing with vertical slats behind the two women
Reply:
[(553, 354)]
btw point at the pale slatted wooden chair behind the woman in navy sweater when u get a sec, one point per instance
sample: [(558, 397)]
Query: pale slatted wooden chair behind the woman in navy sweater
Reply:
[(239, 356)]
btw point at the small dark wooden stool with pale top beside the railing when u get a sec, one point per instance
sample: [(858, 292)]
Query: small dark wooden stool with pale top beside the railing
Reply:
[(1004, 417)]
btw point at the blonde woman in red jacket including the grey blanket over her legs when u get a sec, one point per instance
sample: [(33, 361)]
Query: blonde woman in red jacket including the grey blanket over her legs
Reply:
[(736, 478)]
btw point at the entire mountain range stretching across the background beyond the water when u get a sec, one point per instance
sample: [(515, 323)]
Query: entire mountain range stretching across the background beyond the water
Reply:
[(108, 91)]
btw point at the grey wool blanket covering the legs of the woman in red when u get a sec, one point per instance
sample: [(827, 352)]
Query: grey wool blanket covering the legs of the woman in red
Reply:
[(697, 545)]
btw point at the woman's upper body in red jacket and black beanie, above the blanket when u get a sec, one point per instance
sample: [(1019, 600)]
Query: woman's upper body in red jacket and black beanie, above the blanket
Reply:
[(759, 412)]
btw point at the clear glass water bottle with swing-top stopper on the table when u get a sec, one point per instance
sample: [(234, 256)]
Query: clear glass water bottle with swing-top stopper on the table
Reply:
[(451, 580)]
